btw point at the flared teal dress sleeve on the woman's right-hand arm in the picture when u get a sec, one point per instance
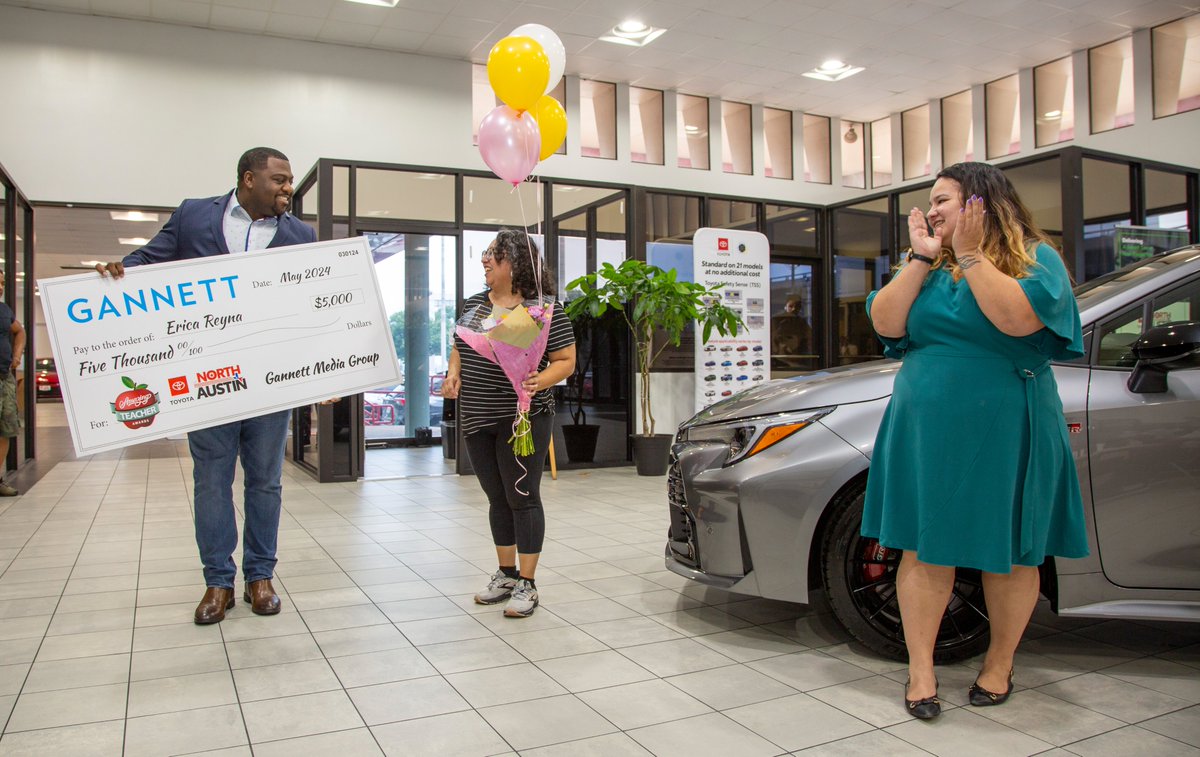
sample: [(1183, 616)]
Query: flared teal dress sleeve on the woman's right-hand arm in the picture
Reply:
[(1048, 289)]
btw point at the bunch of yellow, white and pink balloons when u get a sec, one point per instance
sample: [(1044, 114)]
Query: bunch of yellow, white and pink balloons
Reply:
[(524, 68)]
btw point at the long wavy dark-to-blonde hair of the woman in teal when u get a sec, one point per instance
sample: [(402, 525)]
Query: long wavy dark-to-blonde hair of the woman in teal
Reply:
[(1010, 236)]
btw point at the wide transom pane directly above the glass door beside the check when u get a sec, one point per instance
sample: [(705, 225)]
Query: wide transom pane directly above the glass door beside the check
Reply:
[(405, 195)]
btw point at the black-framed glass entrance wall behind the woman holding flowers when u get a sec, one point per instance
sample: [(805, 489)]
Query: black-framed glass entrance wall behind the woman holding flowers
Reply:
[(428, 230)]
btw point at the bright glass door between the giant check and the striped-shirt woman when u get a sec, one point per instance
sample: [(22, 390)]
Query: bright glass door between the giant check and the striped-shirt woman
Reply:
[(417, 280)]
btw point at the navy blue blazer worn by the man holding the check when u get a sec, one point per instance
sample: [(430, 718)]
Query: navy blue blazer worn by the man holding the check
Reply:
[(196, 231)]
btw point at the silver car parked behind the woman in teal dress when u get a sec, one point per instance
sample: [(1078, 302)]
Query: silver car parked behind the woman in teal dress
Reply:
[(766, 488)]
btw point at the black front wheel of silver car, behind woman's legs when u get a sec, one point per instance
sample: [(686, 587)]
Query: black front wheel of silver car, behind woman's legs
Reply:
[(860, 578)]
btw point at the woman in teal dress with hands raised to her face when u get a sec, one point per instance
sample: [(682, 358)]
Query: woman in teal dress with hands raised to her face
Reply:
[(973, 465)]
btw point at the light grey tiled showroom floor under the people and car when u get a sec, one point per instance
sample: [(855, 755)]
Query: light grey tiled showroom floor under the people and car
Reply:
[(380, 648)]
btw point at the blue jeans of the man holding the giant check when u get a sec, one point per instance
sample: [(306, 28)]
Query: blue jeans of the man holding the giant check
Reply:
[(261, 442)]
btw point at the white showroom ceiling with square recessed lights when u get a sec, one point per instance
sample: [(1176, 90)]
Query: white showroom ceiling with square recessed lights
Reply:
[(752, 51)]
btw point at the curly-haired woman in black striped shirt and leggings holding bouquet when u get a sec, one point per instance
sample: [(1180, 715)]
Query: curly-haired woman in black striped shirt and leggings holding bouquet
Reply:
[(488, 410)]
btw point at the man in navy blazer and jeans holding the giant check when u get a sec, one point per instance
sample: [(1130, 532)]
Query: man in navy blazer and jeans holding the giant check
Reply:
[(253, 217)]
